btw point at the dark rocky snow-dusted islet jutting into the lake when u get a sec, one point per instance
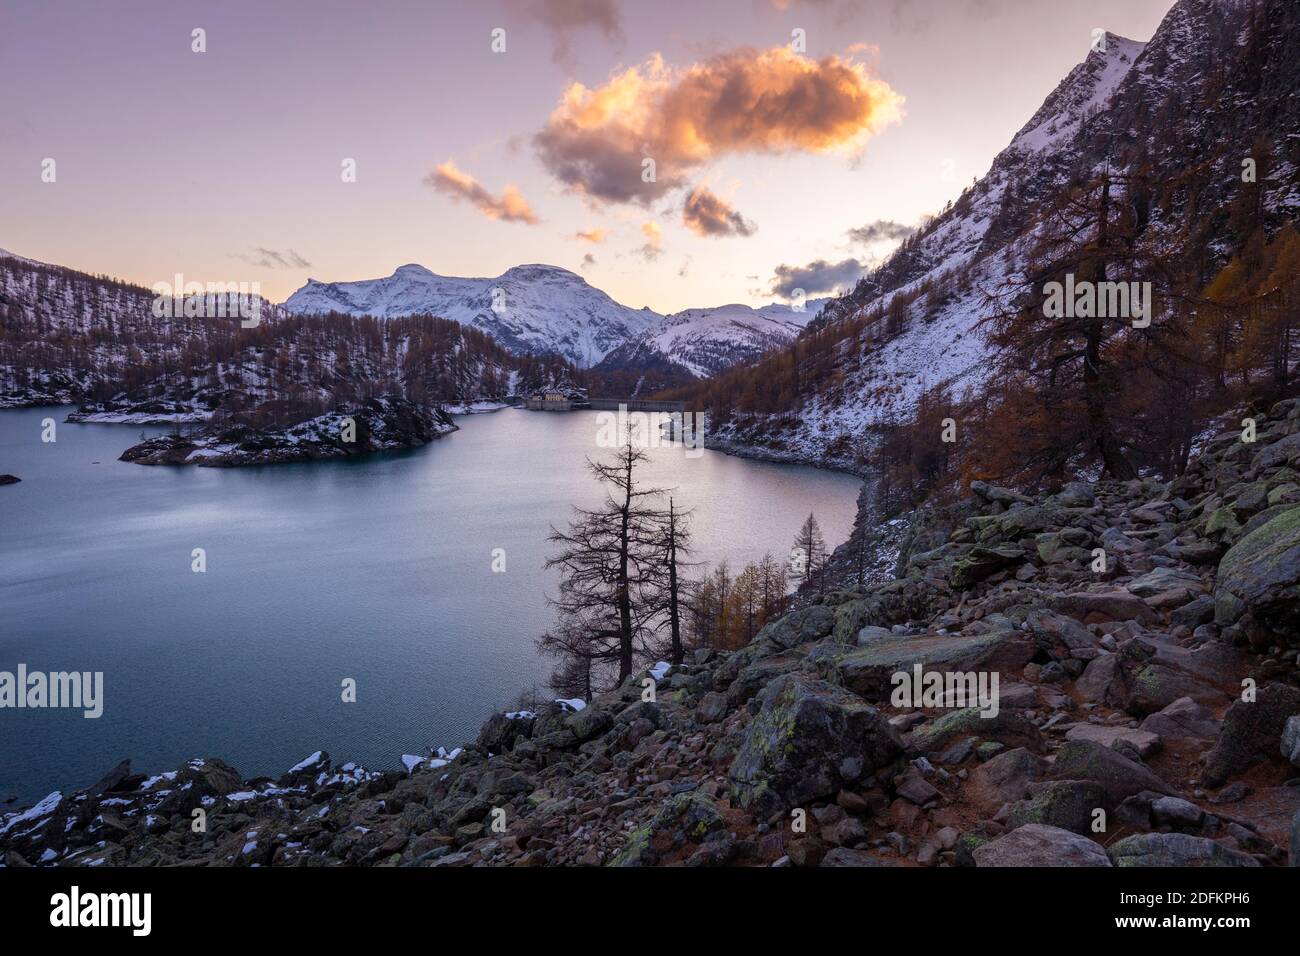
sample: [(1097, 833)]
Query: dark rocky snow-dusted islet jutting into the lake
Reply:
[(378, 425)]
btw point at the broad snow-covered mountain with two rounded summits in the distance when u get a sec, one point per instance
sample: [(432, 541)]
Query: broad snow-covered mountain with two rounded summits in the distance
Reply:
[(530, 309)]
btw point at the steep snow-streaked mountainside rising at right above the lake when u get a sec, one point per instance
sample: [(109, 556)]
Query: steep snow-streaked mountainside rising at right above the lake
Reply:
[(1212, 85)]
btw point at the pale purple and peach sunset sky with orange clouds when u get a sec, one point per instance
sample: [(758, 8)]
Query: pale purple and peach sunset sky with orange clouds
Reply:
[(226, 166)]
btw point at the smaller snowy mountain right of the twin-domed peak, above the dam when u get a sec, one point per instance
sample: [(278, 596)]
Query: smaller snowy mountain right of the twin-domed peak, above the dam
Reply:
[(701, 343)]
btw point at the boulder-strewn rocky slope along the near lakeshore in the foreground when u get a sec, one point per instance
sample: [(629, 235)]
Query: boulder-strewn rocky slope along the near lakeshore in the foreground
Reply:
[(1147, 715)]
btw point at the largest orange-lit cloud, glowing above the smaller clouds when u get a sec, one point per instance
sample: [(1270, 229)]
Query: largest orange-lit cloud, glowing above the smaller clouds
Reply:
[(743, 102)]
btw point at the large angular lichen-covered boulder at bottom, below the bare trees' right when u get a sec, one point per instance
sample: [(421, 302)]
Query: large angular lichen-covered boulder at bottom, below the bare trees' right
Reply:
[(808, 739)]
